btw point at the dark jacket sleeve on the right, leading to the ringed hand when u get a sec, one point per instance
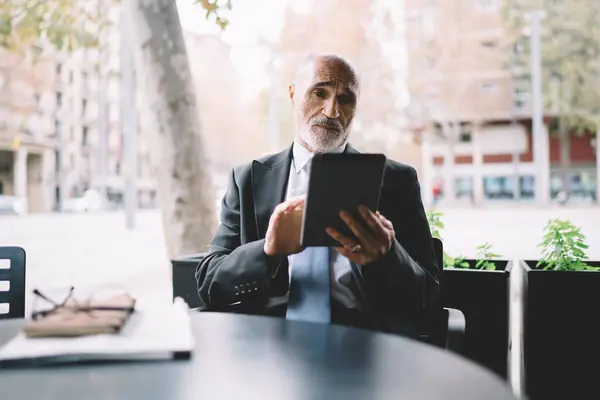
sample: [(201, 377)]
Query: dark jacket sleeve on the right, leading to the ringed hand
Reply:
[(405, 282)]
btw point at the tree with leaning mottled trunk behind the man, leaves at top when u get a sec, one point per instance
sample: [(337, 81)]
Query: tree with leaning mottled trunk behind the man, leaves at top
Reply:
[(163, 70)]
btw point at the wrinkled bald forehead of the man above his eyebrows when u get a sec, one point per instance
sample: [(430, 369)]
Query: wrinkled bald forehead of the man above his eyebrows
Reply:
[(327, 72)]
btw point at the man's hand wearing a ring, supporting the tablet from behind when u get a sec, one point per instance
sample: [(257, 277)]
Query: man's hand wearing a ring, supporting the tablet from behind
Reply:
[(370, 245)]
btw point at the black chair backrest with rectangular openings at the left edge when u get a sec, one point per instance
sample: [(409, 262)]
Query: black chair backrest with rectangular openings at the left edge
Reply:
[(12, 282)]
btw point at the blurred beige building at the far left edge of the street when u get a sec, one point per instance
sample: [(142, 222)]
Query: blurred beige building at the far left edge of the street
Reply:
[(27, 139)]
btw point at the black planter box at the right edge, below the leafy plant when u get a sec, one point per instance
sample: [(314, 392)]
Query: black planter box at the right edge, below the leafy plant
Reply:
[(561, 333)]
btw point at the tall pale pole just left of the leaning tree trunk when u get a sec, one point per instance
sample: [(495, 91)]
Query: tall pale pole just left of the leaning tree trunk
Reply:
[(128, 115)]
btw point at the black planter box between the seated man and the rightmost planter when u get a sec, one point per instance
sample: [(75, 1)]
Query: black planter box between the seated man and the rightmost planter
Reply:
[(483, 297)]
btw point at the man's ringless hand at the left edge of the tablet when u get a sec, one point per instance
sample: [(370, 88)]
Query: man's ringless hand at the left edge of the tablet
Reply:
[(285, 226)]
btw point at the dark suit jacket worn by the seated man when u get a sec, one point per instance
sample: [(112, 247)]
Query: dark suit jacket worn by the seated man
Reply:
[(398, 289)]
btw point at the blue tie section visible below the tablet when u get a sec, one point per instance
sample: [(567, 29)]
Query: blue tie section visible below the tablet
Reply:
[(309, 286)]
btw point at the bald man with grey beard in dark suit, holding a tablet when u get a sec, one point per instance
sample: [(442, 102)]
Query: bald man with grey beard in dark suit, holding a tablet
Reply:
[(255, 261)]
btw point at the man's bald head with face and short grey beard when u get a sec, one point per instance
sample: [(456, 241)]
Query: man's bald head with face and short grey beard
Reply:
[(324, 96)]
